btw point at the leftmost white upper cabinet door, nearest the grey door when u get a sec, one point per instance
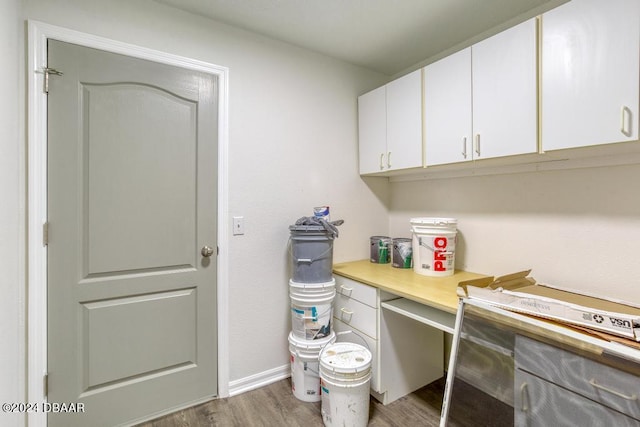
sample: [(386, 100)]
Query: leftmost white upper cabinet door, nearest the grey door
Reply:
[(372, 125)]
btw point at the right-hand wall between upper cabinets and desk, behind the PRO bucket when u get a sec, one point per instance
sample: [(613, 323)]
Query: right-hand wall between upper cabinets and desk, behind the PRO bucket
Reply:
[(577, 229)]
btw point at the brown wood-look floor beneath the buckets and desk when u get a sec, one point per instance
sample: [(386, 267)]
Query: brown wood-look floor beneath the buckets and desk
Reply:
[(275, 405)]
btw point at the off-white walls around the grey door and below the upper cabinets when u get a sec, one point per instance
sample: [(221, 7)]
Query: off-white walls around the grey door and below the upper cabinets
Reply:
[(293, 145)]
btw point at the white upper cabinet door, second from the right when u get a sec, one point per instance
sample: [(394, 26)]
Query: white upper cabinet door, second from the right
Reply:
[(504, 80)]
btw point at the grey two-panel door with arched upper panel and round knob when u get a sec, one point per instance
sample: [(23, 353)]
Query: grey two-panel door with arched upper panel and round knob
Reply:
[(131, 206)]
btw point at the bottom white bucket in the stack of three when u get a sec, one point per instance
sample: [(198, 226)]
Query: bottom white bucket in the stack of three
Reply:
[(305, 366)]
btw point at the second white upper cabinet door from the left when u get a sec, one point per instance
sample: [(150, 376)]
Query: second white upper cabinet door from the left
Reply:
[(404, 122)]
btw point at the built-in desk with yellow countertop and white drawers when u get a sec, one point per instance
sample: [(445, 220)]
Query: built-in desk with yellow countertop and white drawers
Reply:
[(388, 308)]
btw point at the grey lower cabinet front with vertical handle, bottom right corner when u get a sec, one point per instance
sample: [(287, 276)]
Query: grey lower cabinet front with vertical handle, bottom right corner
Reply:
[(541, 403)]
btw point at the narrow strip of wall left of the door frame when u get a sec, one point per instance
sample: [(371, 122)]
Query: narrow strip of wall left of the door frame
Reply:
[(12, 287)]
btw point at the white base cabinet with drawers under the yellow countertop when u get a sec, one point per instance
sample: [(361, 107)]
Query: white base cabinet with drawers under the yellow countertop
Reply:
[(407, 355)]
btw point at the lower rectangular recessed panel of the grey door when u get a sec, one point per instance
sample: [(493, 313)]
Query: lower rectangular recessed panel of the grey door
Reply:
[(133, 336)]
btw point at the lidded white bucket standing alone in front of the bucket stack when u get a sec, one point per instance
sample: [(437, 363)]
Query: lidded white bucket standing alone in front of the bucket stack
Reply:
[(345, 376)]
